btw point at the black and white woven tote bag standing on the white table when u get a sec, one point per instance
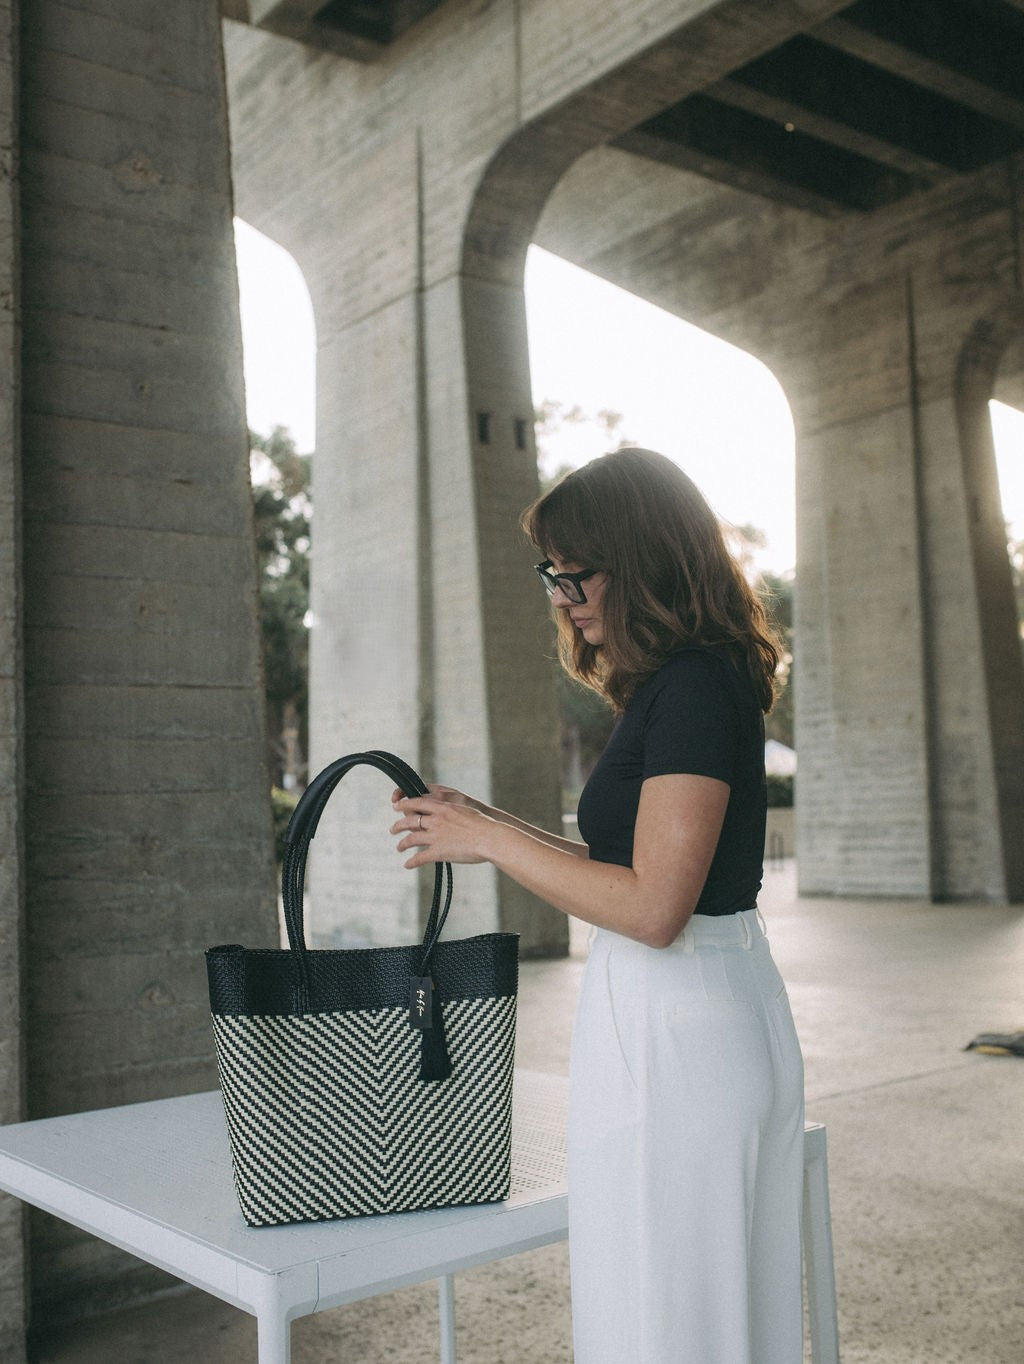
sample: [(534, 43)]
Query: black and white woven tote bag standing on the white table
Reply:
[(370, 1080)]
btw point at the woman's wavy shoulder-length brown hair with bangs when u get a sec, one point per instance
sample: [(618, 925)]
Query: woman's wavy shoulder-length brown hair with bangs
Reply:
[(672, 578)]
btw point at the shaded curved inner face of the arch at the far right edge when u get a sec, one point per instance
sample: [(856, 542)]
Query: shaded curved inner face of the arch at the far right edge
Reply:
[(997, 616)]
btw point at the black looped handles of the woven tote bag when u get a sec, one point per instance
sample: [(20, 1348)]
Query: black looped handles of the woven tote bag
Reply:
[(302, 829)]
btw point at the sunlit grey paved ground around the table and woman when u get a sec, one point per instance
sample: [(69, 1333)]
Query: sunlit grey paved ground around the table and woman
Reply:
[(927, 1146)]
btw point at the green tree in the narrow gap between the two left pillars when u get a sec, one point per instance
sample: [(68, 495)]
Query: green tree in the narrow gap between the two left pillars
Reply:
[(283, 512)]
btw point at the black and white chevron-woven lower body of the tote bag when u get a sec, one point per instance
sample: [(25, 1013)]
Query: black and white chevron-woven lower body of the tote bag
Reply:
[(328, 1115)]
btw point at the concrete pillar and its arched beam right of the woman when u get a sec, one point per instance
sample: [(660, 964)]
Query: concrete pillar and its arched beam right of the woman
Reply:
[(887, 332)]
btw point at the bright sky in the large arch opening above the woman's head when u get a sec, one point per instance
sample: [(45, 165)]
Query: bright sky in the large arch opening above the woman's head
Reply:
[(717, 411)]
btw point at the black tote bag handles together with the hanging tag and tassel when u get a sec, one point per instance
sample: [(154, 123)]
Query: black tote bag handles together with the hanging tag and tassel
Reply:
[(302, 829)]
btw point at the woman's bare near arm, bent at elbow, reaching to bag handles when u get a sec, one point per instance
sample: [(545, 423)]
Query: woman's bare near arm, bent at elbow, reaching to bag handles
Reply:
[(678, 826)]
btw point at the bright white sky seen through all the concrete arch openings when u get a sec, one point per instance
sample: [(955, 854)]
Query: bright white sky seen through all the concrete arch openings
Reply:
[(715, 410)]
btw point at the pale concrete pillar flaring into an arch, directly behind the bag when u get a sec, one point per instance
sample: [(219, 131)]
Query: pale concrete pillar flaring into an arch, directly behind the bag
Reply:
[(412, 227)]
